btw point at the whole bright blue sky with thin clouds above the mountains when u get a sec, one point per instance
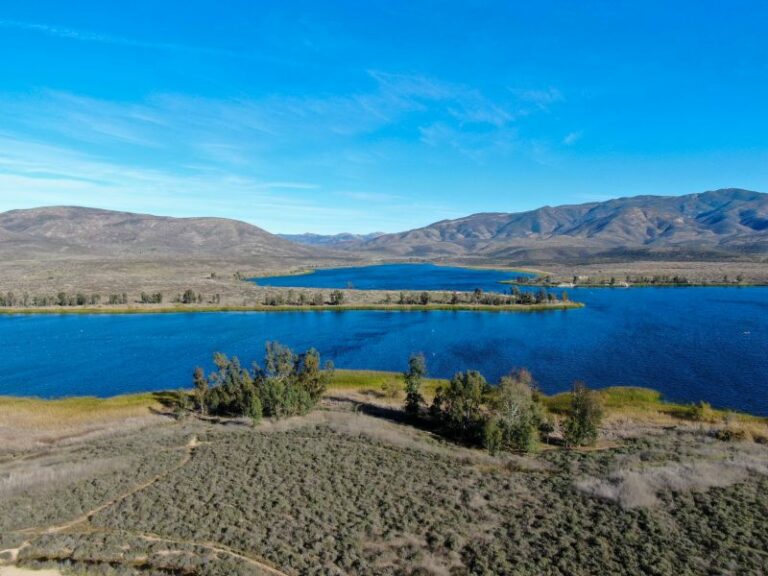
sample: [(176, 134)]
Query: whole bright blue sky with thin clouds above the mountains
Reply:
[(362, 116)]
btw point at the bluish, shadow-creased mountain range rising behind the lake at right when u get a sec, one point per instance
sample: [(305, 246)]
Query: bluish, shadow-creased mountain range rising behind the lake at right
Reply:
[(718, 223)]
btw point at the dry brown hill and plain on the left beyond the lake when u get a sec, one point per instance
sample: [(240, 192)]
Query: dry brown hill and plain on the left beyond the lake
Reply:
[(47, 250)]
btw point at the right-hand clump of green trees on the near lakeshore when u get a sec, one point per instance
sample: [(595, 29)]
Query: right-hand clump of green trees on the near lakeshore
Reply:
[(507, 417)]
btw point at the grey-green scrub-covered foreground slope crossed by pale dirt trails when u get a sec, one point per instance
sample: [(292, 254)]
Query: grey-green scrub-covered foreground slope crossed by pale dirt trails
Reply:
[(341, 492)]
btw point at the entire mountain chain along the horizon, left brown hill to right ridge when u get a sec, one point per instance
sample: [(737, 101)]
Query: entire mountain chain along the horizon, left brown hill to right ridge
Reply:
[(720, 224)]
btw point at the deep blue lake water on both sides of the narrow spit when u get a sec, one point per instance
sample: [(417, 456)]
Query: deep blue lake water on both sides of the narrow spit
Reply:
[(689, 343)]
